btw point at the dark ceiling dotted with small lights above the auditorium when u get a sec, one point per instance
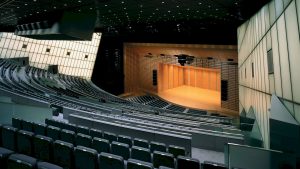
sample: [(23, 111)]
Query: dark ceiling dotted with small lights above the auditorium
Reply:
[(188, 21)]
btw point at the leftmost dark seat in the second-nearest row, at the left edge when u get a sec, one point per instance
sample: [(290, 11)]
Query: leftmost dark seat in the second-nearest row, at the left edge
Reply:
[(9, 134)]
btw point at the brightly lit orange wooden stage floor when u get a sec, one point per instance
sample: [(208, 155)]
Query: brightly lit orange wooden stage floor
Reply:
[(196, 98)]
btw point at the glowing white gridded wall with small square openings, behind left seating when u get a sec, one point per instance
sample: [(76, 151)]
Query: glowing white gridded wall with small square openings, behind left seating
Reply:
[(74, 64)]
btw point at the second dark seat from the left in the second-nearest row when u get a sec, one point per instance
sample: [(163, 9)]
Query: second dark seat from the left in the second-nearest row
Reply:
[(25, 142)]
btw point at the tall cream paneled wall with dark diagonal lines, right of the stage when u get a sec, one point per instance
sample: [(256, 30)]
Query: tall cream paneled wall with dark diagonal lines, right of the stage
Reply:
[(276, 27)]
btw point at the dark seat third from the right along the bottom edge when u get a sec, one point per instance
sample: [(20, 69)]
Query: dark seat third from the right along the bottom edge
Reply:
[(163, 159)]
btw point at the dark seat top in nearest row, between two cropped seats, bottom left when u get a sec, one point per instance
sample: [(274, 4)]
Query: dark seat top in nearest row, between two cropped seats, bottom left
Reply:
[(21, 161)]
